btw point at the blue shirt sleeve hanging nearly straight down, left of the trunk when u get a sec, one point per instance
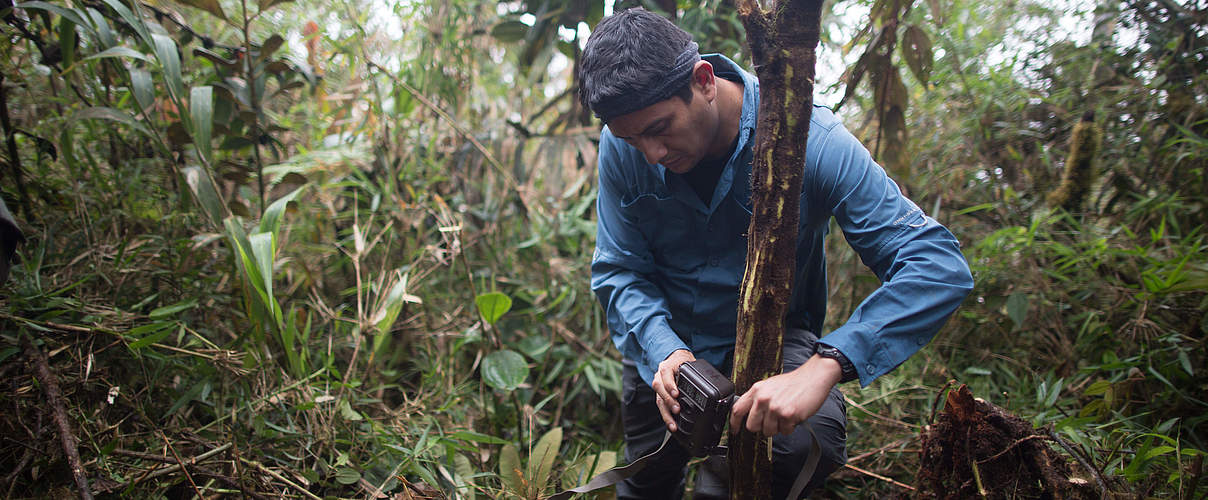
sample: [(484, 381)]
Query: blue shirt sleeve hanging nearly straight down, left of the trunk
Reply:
[(636, 309)]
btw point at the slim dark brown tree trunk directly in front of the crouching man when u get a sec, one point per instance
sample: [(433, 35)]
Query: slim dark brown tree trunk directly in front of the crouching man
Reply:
[(782, 40)]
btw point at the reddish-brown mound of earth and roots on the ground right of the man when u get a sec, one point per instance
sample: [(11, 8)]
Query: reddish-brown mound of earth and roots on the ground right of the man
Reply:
[(977, 450)]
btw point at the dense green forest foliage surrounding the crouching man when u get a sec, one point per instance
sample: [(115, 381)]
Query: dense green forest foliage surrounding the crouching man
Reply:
[(341, 248)]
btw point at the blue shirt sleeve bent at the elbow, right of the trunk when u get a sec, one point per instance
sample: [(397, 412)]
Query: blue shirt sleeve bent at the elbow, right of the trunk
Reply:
[(924, 274)]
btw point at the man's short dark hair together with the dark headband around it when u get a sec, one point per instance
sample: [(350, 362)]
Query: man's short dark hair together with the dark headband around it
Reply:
[(629, 53)]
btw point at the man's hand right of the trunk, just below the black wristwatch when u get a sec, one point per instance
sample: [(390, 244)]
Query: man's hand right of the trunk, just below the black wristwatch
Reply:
[(779, 404)]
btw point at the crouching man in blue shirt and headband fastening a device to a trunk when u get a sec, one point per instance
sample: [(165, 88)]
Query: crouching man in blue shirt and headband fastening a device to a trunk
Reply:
[(673, 210)]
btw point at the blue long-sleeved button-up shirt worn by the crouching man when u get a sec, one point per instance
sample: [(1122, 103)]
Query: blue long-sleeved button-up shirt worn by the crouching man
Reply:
[(667, 268)]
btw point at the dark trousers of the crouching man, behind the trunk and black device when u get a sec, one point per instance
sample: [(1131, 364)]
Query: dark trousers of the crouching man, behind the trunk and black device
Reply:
[(664, 479)]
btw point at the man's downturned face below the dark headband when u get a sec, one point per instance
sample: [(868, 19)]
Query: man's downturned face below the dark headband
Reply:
[(672, 133)]
